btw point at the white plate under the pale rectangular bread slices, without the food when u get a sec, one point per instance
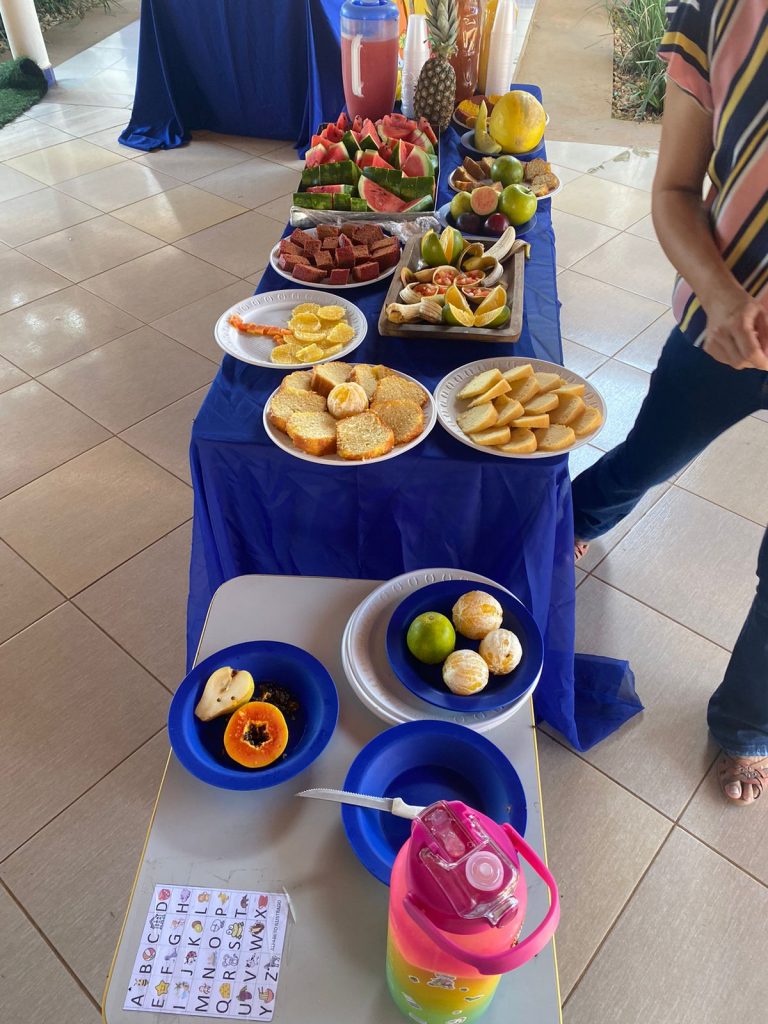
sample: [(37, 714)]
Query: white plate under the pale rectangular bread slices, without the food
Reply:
[(449, 407)]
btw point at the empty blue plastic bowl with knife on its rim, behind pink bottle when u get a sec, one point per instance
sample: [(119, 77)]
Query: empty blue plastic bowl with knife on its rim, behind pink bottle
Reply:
[(423, 762)]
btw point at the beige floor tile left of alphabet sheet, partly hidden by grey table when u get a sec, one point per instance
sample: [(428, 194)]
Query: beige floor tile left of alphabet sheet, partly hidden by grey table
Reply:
[(74, 877)]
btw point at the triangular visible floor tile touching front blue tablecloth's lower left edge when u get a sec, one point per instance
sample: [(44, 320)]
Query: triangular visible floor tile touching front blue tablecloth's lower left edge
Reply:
[(143, 605)]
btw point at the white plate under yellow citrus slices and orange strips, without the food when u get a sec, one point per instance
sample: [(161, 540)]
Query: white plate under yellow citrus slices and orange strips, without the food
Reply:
[(275, 309)]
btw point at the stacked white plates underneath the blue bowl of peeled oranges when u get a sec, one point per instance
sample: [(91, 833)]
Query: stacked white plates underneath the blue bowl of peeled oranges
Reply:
[(367, 667)]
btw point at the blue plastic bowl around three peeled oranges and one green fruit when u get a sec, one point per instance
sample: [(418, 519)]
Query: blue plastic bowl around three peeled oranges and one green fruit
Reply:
[(426, 680)]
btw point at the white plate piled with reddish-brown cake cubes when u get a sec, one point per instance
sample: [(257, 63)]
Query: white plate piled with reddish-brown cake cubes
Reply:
[(347, 257)]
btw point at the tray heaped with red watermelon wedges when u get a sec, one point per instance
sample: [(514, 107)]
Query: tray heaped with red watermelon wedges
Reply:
[(361, 166)]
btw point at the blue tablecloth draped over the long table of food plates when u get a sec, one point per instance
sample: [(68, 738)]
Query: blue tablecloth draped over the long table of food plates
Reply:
[(442, 504)]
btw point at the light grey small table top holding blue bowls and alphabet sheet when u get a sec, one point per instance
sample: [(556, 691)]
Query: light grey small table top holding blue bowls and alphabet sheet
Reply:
[(333, 964)]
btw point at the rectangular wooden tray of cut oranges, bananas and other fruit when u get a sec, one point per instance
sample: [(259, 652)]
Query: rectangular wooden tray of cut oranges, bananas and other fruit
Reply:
[(449, 288)]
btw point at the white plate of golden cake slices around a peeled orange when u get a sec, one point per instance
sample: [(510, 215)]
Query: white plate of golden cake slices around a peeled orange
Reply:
[(346, 414)]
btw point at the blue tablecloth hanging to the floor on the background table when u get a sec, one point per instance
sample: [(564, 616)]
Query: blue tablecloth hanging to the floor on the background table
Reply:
[(237, 67)]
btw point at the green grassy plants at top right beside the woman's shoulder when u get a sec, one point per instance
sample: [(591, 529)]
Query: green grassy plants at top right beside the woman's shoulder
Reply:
[(639, 26)]
